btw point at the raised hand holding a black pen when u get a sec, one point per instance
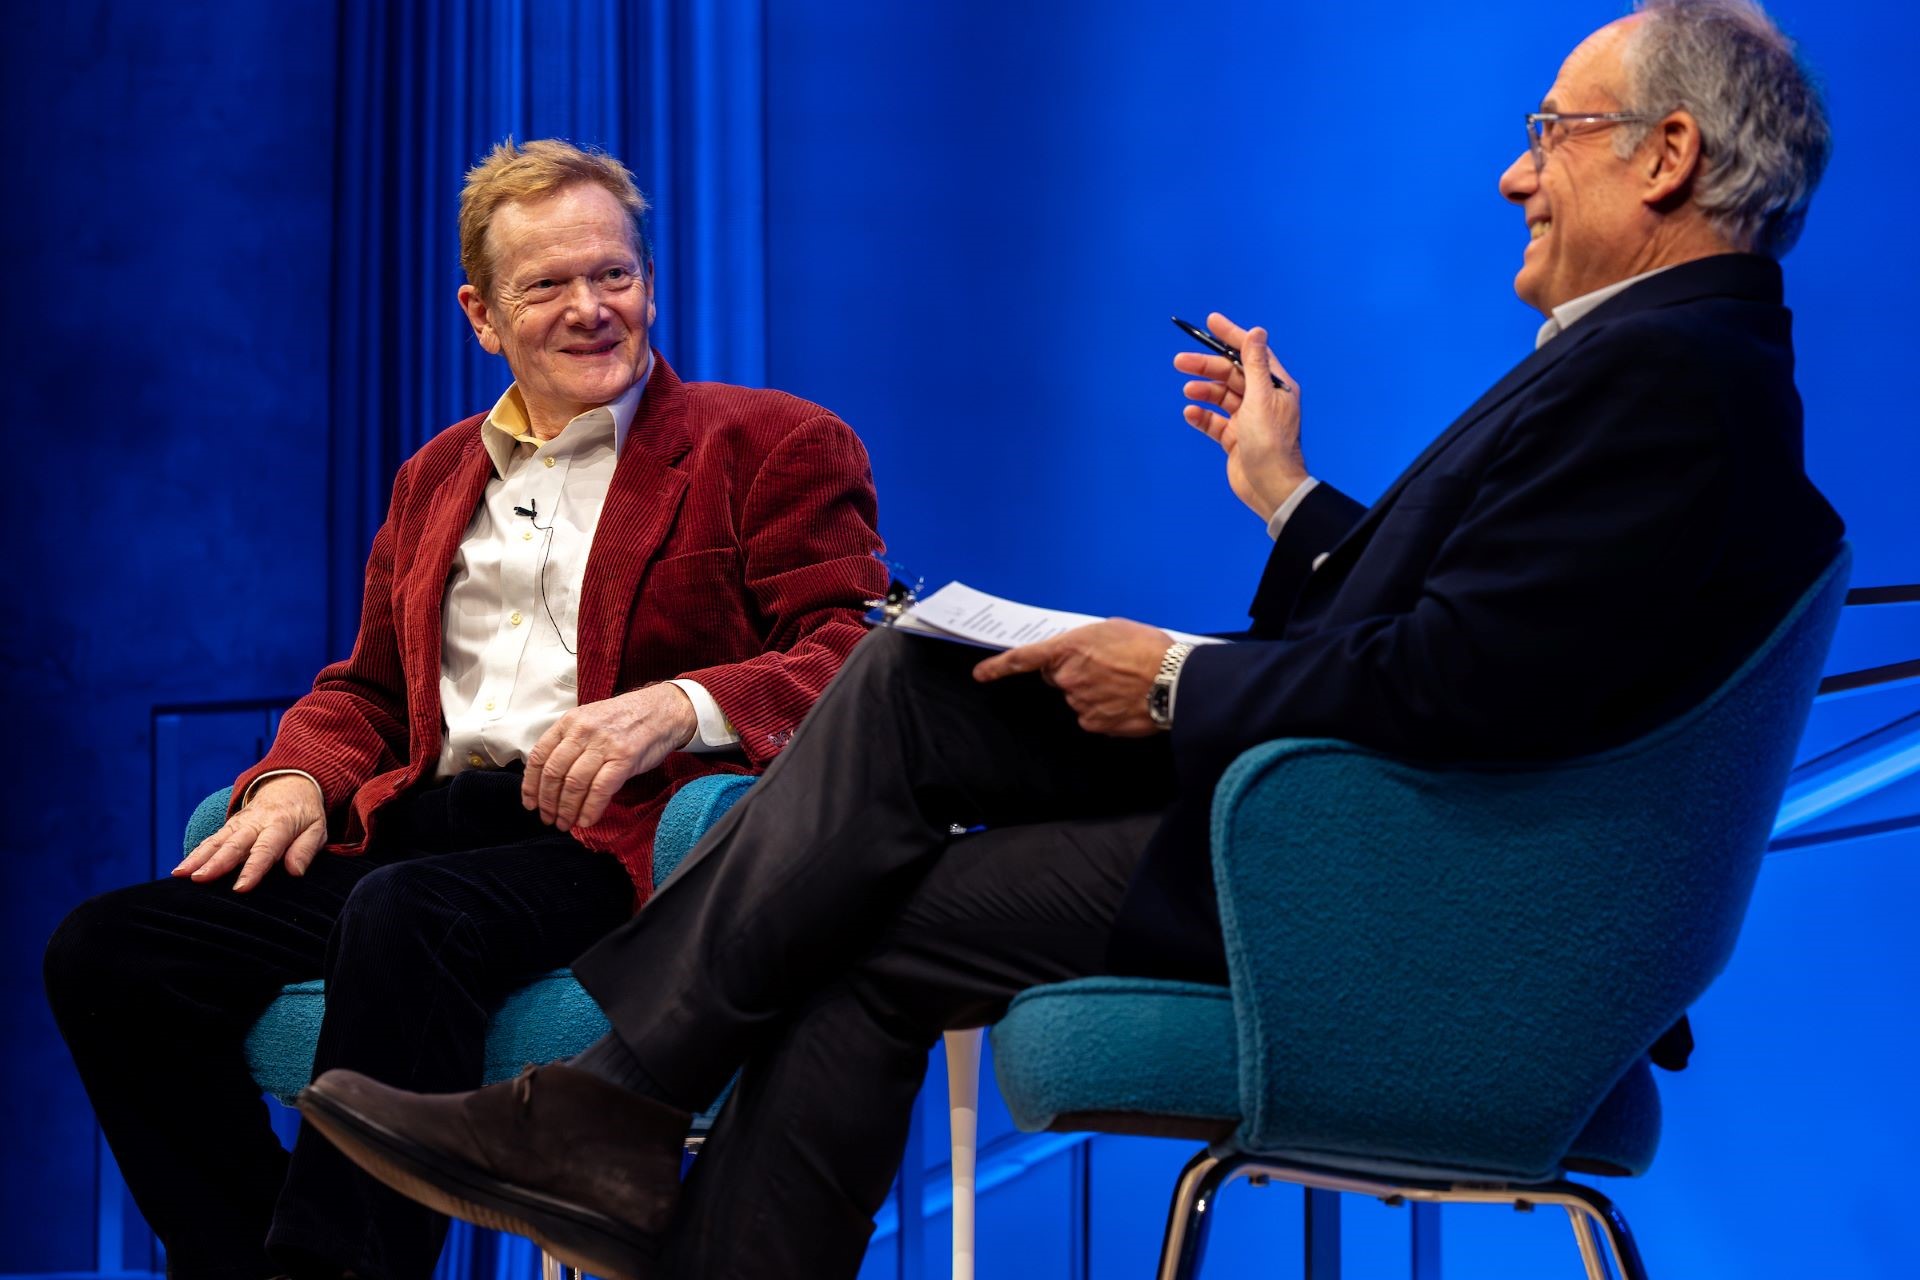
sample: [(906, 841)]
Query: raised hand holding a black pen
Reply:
[(1253, 421)]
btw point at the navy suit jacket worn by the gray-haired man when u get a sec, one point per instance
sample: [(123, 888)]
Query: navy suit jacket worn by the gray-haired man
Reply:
[(1593, 548)]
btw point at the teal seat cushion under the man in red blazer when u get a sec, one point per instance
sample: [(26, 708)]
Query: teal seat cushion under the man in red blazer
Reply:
[(546, 1020)]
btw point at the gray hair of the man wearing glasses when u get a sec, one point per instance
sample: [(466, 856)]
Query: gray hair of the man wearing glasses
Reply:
[(1764, 128)]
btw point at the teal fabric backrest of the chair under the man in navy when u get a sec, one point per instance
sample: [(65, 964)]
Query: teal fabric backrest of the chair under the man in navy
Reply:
[(1456, 966)]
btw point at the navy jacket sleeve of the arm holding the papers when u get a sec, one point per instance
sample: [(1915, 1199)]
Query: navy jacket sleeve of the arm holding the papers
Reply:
[(1548, 596)]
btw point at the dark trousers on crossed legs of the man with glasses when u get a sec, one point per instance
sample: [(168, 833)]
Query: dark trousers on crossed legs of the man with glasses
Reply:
[(828, 930)]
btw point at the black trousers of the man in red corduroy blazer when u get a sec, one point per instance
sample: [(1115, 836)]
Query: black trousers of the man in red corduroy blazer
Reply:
[(156, 985)]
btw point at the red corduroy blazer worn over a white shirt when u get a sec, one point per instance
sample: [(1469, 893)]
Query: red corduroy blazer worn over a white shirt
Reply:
[(734, 550)]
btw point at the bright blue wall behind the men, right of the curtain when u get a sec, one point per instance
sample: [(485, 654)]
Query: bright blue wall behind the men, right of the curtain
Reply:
[(984, 216)]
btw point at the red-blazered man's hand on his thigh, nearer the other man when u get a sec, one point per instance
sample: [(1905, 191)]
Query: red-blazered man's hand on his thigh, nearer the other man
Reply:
[(587, 757)]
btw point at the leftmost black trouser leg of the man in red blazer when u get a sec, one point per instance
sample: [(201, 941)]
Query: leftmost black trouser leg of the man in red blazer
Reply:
[(155, 989)]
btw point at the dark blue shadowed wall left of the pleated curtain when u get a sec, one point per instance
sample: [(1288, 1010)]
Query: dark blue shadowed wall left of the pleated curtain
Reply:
[(168, 220)]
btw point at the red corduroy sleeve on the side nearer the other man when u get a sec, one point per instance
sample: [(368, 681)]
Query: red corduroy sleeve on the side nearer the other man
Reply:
[(809, 540)]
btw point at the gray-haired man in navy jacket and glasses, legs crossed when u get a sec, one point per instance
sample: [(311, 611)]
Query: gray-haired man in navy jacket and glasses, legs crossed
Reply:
[(1589, 550)]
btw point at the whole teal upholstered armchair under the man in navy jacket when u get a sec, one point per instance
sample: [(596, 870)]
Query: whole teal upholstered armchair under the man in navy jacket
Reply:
[(1443, 982)]
